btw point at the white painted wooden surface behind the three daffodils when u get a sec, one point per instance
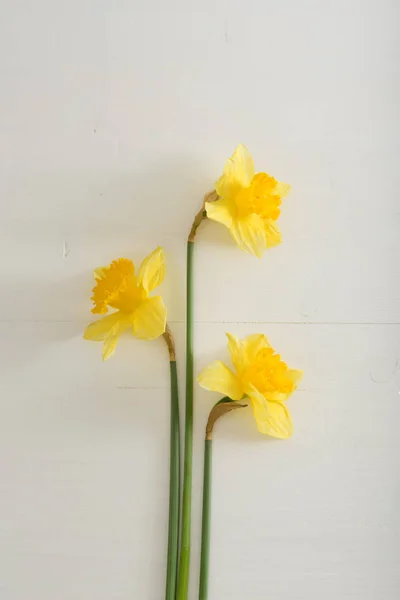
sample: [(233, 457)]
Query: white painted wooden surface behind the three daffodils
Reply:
[(115, 118)]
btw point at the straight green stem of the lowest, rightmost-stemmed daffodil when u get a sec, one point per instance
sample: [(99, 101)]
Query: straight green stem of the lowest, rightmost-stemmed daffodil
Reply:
[(206, 521)]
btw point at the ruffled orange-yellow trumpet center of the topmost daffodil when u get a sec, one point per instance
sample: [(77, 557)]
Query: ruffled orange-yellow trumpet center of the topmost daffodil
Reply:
[(259, 198)]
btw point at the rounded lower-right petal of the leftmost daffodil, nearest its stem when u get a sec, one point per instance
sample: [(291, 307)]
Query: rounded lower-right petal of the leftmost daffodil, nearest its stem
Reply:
[(150, 318)]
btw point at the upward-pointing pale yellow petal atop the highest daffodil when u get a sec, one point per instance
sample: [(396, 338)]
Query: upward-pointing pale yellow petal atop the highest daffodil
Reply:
[(238, 173)]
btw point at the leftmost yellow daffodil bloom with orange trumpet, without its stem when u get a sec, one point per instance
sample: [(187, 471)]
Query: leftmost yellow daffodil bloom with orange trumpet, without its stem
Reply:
[(118, 287)]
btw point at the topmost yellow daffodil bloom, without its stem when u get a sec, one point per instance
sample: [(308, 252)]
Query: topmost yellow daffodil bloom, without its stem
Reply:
[(248, 203)]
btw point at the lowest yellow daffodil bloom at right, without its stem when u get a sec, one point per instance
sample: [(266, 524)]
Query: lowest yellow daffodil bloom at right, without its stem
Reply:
[(261, 376)]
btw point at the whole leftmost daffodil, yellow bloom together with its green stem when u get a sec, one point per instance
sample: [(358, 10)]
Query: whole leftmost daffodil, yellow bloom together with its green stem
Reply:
[(118, 287)]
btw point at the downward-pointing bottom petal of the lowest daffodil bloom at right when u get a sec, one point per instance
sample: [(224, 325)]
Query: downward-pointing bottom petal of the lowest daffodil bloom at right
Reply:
[(272, 418)]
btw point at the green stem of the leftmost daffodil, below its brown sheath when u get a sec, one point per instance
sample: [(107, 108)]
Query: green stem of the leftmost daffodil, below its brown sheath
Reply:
[(174, 489)]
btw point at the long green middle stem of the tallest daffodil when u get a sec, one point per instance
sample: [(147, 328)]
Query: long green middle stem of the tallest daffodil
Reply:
[(184, 562)]
